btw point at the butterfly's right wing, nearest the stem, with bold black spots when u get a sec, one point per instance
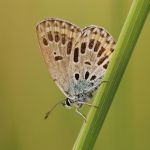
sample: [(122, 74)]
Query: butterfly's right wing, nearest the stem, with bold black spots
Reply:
[(91, 55)]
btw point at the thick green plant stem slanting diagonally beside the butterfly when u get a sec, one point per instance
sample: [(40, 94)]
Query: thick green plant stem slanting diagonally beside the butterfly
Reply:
[(124, 48)]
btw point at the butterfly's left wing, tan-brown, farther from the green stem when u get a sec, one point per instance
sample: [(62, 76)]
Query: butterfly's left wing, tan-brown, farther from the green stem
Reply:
[(57, 39)]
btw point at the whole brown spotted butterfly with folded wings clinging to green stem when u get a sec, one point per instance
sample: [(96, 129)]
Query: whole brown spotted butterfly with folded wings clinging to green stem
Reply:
[(77, 59)]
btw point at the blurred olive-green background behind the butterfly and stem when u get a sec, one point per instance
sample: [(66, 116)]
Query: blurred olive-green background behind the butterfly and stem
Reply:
[(27, 91)]
